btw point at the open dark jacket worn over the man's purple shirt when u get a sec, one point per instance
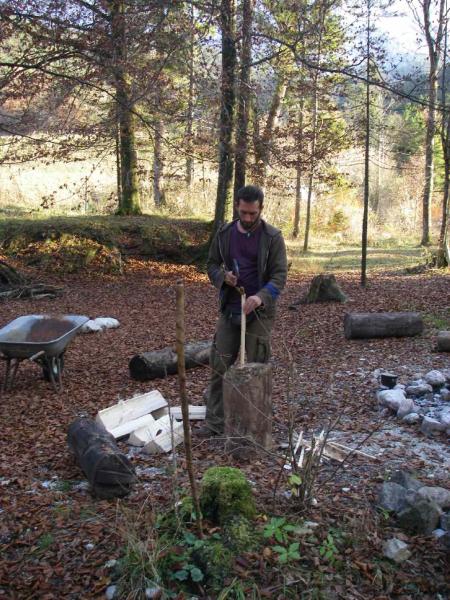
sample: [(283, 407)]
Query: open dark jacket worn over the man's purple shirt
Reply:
[(272, 264)]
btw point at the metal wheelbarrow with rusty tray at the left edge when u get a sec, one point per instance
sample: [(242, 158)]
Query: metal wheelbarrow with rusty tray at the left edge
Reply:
[(40, 338)]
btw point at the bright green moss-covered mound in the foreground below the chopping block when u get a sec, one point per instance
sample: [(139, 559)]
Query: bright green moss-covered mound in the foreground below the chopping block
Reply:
[(225, 494)]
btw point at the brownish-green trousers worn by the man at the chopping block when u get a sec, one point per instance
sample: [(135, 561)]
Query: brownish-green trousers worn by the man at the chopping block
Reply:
[(224, 352)]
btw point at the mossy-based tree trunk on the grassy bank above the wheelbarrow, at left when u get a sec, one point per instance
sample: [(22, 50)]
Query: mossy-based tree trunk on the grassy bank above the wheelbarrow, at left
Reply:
[(129, 202)]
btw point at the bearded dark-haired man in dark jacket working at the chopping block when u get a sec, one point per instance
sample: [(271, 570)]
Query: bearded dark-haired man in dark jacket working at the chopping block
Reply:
[(247, 253)]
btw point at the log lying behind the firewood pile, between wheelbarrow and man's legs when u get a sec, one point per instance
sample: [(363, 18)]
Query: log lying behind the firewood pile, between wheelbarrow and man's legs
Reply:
[(161, 363)]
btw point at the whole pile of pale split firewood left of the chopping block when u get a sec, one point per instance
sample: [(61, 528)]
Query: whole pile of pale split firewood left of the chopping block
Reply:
[(148, 421)]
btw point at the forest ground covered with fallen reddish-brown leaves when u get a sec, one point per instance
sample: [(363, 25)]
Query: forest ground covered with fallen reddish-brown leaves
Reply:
[(57, 541)]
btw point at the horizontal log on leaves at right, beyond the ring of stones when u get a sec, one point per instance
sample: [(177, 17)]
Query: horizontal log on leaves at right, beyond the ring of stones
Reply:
[(386, 324)]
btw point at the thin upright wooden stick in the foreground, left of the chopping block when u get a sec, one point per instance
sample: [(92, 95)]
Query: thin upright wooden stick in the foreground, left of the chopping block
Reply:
[(184, 401)]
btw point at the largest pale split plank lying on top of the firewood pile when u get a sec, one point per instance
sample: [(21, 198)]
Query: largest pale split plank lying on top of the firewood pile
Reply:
[(131, 409)]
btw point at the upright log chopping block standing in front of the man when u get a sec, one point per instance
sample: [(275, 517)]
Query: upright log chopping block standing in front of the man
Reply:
[(247, 401)]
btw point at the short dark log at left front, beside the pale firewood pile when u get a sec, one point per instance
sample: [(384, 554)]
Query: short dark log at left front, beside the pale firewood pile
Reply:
[(108, 470)]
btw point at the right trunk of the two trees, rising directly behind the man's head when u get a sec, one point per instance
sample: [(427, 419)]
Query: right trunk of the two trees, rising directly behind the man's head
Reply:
[(243, 100)]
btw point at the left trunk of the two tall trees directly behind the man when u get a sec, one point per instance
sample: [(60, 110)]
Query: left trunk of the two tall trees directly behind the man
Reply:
[(227, 15)]
